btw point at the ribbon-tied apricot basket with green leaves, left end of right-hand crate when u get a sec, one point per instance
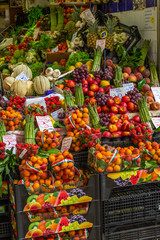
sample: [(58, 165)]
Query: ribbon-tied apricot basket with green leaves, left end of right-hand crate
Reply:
[(105, 159)]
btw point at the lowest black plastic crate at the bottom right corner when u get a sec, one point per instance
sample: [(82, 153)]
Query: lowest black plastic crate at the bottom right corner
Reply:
[(140, 231)]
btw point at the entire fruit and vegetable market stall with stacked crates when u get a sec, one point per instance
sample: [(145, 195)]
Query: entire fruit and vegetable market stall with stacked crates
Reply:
[(79, 126)]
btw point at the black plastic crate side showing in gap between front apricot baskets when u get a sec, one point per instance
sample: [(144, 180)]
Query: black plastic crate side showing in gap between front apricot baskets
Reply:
[(80, 158)]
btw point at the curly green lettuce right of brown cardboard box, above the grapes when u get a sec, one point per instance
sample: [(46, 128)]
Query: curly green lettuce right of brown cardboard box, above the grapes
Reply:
[(77, 57)]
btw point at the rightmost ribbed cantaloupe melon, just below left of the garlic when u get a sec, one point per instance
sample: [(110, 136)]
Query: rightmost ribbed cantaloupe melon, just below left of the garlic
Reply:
[(41, 84)]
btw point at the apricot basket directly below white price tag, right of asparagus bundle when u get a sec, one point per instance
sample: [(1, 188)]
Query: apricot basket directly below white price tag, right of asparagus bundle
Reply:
[(48, 140)]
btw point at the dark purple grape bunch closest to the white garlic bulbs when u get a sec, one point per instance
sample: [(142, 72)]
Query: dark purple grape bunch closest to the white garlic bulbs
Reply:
[(80, 73)]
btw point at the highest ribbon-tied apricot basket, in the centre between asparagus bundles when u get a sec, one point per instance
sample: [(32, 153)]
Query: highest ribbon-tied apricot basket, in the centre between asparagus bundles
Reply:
[(77, 119)]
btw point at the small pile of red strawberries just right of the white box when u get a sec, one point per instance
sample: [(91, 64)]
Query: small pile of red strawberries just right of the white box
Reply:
[(53, 104)]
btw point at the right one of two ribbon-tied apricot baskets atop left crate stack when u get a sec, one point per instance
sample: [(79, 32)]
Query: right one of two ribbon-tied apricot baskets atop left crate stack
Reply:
[(62, 167)]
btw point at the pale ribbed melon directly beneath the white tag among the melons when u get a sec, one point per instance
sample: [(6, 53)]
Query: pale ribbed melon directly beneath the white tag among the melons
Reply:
[(20, 88)]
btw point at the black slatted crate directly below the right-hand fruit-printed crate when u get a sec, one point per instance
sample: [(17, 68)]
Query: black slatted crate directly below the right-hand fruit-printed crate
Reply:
[(130, 205)]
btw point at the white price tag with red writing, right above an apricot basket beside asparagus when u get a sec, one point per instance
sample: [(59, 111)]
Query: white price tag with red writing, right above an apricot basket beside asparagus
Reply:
[(44, 122)]
